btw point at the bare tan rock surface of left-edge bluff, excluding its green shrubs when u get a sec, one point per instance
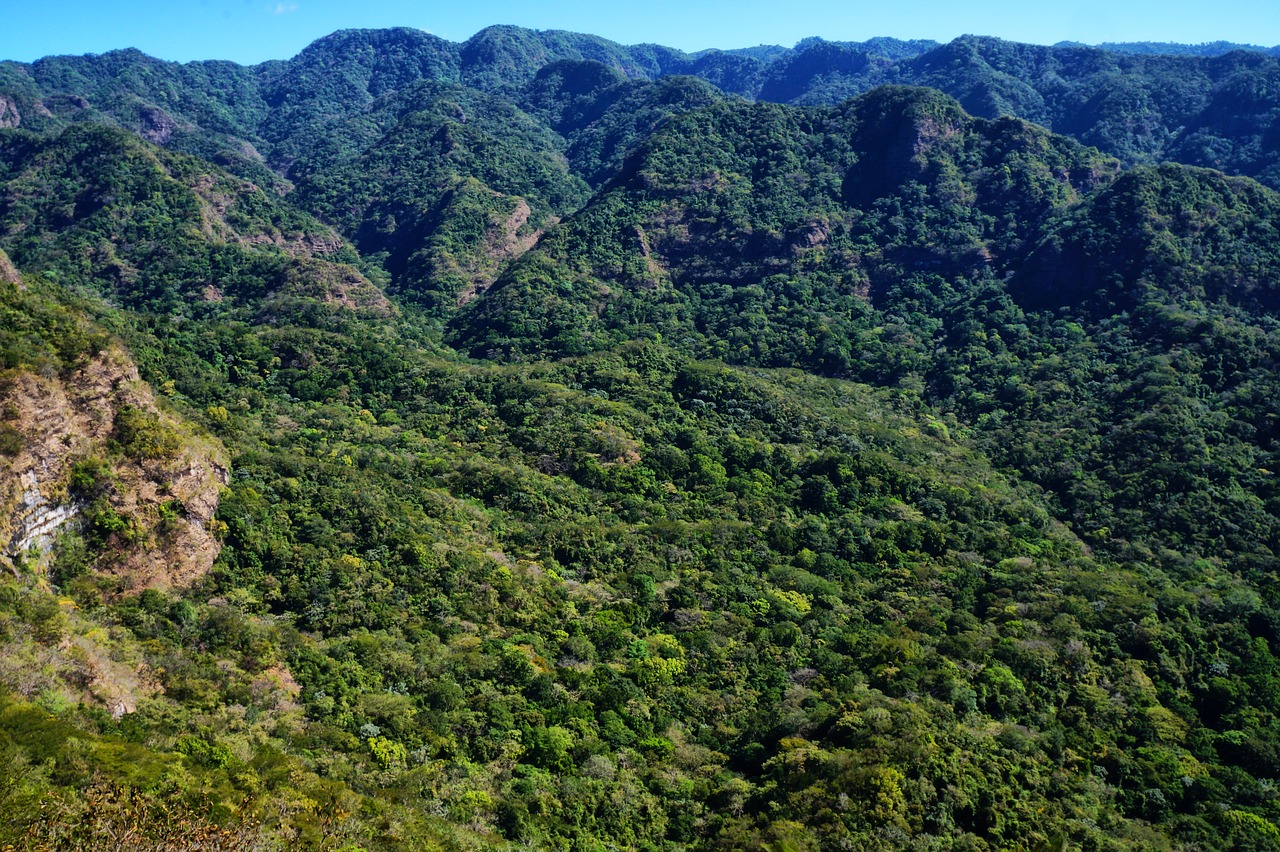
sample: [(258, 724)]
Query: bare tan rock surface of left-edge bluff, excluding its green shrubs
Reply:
[(63, 420)]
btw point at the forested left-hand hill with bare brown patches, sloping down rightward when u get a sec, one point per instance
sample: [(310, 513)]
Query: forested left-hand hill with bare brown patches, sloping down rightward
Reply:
[(161, 232)]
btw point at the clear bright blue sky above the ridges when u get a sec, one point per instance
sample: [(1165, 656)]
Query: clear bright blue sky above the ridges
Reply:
[(252, 31)]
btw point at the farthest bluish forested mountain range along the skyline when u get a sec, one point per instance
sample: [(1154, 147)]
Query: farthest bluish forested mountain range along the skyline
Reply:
[(1210, 106)]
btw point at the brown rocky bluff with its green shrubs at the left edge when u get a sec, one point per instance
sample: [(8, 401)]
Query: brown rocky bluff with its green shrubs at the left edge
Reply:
[(89, 448)]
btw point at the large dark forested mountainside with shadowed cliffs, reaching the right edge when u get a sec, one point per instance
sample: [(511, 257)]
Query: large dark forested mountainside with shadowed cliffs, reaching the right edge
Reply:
[(875, 242)]
